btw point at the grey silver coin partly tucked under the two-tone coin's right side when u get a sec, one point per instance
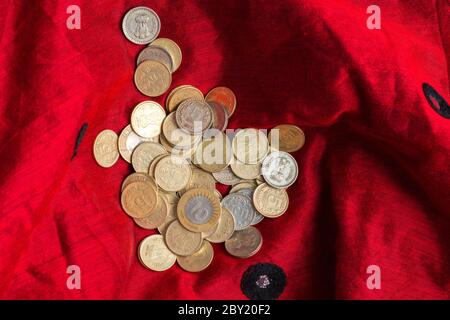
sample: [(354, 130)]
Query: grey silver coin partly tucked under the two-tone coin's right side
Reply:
[(240, 206)]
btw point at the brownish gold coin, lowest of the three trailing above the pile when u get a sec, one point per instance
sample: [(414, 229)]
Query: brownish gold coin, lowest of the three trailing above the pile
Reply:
[(152, 78)]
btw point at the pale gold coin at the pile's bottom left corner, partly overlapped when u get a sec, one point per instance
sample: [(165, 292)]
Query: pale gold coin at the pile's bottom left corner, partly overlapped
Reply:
[(154, 254)]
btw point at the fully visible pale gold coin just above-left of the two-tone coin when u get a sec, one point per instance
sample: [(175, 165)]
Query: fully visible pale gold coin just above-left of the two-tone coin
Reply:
[(172, 173)]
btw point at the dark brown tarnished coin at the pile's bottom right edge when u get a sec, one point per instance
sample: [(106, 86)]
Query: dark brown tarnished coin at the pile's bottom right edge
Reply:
[(244, 243)]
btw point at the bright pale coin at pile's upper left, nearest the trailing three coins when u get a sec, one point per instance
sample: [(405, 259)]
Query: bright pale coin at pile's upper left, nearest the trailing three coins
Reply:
[(147, 118)]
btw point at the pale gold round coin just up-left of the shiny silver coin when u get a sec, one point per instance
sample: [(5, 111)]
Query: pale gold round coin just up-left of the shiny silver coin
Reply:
[(250, 146)]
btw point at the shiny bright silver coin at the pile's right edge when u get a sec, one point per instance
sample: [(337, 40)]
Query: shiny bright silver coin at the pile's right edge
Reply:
[(279, 169)]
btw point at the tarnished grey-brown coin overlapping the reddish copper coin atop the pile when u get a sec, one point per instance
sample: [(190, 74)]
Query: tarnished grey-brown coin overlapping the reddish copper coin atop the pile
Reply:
[(194, 116)]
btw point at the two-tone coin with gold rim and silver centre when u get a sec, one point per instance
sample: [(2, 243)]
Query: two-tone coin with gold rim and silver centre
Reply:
[(199, 210)]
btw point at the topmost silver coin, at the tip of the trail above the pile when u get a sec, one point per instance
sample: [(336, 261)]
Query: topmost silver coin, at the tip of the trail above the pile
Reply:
[(141, 25)]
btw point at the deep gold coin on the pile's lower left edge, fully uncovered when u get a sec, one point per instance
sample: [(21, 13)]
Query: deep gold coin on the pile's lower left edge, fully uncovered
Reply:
[(139, 199)]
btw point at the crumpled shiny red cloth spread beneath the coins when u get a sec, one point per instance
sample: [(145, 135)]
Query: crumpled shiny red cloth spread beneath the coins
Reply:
[(374, 184)]
